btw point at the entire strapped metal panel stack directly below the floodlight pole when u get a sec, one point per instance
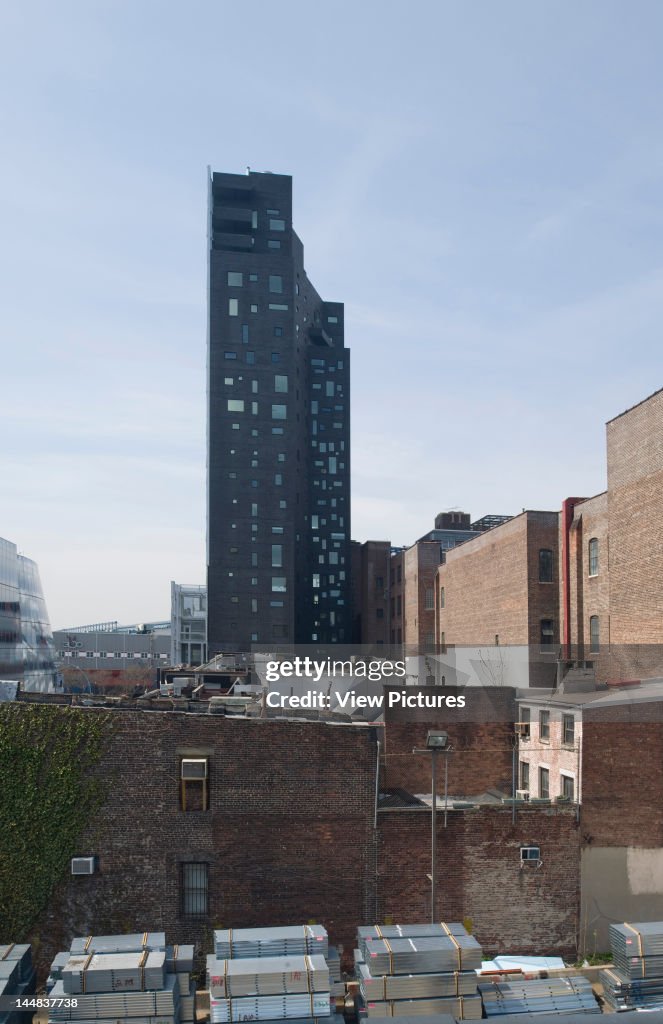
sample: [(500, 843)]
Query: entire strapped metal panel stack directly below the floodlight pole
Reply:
[(419, 970)]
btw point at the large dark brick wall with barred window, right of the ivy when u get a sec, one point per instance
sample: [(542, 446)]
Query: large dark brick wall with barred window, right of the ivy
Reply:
[(288, 835)]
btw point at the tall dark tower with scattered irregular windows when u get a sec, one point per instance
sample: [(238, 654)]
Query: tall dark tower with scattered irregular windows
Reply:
[(278, 449)]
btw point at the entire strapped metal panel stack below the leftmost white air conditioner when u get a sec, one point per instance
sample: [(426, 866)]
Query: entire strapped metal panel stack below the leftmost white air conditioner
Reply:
[(106, 978)]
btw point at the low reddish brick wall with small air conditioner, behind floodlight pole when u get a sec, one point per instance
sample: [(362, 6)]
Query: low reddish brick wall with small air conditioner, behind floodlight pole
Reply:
[(518, 910)]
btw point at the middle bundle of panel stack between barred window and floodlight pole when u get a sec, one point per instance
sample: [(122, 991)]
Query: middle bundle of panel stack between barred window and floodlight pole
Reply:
[(267, 976)]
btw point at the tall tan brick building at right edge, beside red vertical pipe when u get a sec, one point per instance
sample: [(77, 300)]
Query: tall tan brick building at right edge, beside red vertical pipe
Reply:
[(612, 557)]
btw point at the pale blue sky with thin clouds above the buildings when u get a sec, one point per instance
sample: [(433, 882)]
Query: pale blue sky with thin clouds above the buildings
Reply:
[(481, 184)]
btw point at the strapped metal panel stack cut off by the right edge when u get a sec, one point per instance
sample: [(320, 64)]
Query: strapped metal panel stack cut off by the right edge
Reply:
[(637, 979)]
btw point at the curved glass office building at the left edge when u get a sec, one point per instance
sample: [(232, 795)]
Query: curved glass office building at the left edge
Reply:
[(27, 653)]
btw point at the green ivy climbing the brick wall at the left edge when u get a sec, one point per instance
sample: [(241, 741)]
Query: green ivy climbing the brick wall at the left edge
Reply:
[(49, 794)]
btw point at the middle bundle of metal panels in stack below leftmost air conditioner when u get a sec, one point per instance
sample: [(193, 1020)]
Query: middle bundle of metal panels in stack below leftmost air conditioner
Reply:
[(114, 972)]
